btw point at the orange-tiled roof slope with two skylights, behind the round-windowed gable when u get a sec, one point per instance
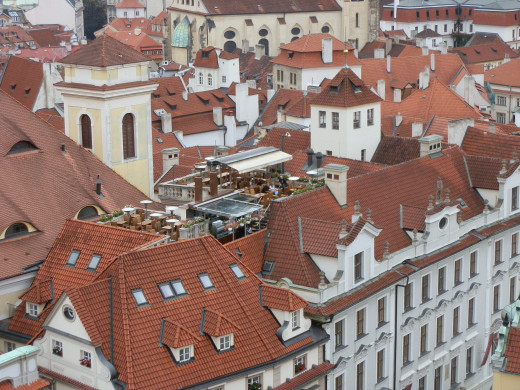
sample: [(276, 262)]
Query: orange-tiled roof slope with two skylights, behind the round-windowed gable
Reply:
[(55, 276)]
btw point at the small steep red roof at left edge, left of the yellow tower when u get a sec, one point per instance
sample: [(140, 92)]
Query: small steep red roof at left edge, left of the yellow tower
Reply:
[(22, 80)]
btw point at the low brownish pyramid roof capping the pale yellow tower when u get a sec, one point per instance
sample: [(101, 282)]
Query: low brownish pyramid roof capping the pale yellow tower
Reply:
[(105, 51)]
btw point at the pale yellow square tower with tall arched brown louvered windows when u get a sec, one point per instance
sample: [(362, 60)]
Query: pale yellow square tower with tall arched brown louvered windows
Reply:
[(107, 105)]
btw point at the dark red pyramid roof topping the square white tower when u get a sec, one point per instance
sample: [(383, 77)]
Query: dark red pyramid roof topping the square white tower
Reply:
[(345, 90)]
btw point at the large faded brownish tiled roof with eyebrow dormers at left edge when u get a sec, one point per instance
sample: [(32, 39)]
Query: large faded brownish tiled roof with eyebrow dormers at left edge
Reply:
[(67, 183)]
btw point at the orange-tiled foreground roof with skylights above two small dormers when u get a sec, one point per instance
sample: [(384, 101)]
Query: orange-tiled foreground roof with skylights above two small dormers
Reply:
[(137, 329)]
